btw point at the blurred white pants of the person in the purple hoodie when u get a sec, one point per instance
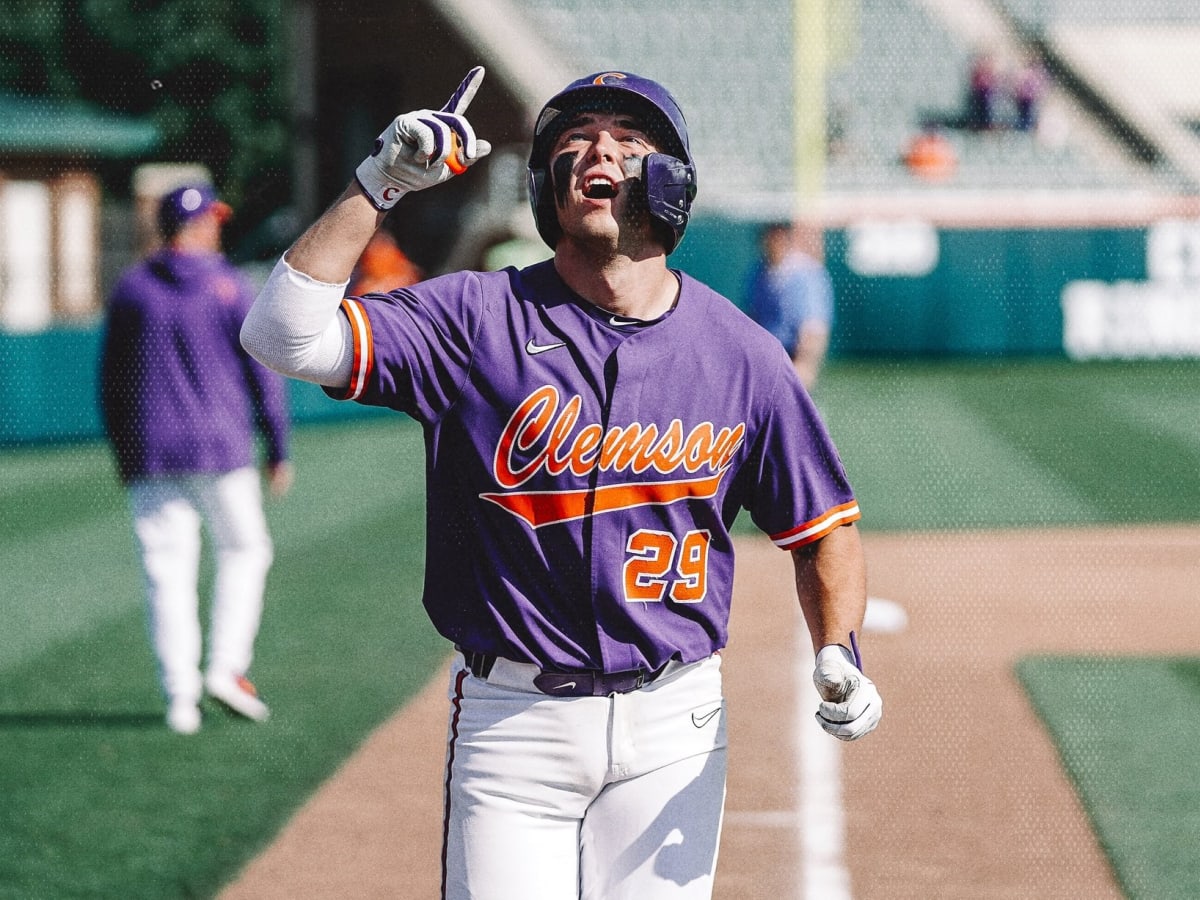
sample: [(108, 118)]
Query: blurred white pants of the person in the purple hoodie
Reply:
[(169, 513)]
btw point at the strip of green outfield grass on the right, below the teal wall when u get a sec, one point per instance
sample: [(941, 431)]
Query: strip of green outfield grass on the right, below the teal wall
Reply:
[(935, 446)]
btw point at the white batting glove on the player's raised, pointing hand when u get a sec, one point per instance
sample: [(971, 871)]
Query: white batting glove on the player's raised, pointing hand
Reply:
[(423, 149)]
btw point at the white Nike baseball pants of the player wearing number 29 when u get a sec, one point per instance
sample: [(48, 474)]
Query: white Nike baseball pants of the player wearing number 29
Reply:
[(602, 799)]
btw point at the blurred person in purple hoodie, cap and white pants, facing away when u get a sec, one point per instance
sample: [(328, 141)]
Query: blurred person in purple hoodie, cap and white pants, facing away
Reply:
[(181, 403)]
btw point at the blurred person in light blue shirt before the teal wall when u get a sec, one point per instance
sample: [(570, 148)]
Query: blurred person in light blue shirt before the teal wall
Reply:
[(791, 296)]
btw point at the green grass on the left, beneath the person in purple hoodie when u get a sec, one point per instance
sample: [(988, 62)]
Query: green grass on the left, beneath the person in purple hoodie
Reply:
[(100, 801)]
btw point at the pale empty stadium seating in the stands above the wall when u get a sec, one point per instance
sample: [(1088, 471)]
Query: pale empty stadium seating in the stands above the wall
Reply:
[(893, 65)]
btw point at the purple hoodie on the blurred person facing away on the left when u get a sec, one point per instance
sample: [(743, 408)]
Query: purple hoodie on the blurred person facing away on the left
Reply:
[(178, 393)]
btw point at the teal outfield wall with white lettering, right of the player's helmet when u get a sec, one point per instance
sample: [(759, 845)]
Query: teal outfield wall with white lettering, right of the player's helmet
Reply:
[(907, 287)]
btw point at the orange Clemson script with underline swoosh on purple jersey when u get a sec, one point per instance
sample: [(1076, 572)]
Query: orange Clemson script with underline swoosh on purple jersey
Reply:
[(542, 436)]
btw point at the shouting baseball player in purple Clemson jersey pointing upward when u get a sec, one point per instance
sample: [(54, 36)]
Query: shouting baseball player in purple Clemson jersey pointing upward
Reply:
[(593, 425)]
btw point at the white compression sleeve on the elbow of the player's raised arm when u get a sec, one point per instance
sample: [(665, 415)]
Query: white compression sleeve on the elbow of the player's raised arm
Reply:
[(295, 328)]
